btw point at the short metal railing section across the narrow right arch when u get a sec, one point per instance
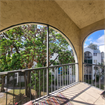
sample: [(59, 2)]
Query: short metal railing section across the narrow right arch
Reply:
[(94, 74)]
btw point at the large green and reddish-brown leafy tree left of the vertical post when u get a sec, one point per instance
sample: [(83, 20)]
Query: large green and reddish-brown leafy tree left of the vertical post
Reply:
[(21, 47)]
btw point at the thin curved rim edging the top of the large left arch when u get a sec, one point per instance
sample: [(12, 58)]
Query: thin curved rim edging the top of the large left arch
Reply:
[(67, 39)]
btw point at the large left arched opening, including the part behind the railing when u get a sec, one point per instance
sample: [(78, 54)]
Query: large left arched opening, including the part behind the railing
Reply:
[(37, 57)]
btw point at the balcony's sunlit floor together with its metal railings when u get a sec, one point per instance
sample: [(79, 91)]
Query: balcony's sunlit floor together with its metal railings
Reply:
[(53, 85)]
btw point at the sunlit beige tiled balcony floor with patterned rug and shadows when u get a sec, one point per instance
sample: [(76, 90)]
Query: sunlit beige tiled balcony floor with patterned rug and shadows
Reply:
[(76, 94)]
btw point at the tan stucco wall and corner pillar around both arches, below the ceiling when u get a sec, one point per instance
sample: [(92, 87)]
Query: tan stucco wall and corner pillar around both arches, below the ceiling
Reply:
[(13, 12)]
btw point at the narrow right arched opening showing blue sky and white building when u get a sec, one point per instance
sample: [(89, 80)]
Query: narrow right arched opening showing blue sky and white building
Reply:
[(94, 58)]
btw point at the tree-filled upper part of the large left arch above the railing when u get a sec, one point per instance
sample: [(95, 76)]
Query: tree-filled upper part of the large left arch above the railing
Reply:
[(33, 45)]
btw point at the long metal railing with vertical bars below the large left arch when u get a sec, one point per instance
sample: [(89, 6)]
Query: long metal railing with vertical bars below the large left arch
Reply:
[(29, 84)]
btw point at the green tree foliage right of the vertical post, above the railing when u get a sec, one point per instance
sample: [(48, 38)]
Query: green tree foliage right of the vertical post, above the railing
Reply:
[(58, 44)]
